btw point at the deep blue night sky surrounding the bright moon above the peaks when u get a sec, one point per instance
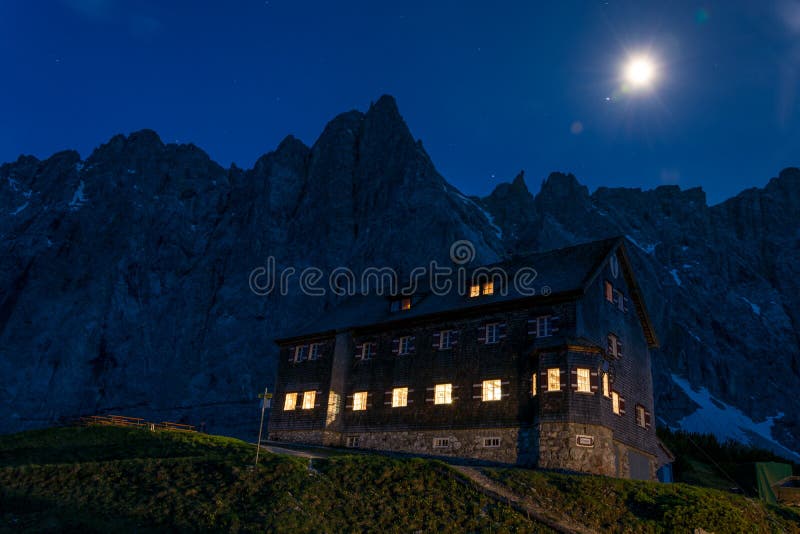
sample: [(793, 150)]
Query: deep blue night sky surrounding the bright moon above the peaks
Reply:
[(490, 88)]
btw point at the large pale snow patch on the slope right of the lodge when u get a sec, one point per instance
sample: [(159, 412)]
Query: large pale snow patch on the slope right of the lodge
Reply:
[(727, 422)]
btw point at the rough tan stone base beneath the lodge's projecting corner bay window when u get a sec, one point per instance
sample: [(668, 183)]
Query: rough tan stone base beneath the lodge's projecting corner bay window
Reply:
[(558, 448)]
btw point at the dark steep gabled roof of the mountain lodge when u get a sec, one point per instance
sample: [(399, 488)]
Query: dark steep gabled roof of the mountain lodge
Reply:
[(561, 273)]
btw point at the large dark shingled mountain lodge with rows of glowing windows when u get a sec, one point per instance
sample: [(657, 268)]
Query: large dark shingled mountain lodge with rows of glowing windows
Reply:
[(573, 391)]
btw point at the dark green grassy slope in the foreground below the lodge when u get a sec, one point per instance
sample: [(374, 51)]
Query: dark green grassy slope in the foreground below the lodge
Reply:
[(104, 479)]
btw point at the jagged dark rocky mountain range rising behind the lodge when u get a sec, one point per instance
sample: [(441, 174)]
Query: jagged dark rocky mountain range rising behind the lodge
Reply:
[(124, 277)]
